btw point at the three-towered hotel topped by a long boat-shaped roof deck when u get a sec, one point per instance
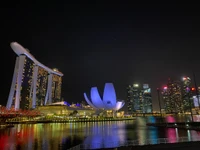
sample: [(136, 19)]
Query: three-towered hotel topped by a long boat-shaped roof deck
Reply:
[(33, 84)]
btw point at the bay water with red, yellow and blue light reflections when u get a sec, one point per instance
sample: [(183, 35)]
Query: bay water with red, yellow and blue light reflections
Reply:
[(98, 135)]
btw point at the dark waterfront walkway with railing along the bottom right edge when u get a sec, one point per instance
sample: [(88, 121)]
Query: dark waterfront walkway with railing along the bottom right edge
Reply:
[(181, 143)]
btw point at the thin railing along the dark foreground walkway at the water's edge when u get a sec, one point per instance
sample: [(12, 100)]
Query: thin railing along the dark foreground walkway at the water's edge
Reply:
[(135, 143)]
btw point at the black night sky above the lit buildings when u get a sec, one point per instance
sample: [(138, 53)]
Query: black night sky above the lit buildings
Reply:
[(97, 43)]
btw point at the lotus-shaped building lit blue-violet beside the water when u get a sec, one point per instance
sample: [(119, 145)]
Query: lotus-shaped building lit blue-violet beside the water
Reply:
[(109, 100)]
